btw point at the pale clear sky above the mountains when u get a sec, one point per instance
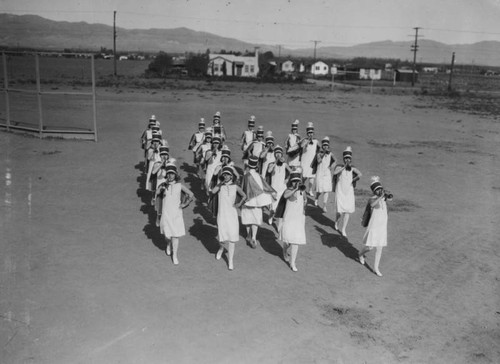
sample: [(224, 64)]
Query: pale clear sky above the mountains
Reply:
[(287, 23)]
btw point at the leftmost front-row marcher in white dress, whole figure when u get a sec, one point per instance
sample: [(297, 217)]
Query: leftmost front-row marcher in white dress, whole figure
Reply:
[(175, 197)]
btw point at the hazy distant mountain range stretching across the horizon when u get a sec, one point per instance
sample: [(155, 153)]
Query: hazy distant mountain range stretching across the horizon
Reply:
[(36, 32)]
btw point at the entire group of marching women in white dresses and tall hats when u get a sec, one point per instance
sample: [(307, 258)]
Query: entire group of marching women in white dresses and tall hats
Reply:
[(278, 179)]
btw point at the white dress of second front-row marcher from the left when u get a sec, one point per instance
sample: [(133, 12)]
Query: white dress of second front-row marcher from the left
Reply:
[(227, 215)]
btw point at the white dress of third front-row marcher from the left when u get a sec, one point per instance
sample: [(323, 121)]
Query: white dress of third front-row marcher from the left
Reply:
[(293, 230)]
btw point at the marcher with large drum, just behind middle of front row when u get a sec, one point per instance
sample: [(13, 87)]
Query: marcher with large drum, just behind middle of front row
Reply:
[(259, 194)]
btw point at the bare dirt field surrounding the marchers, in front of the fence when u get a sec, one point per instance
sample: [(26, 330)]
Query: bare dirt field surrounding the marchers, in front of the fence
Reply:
[(84, 277)]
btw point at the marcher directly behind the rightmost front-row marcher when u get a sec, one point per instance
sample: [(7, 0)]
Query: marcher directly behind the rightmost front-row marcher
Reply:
[(346, 176)]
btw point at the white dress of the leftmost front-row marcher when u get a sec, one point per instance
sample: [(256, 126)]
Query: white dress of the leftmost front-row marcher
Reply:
[(172, 221)]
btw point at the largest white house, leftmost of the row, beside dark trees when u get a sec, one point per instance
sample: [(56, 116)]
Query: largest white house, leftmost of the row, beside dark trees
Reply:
[(232, 65)]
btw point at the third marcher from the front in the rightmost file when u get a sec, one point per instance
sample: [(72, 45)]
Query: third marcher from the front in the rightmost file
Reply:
[(323, 164)]
